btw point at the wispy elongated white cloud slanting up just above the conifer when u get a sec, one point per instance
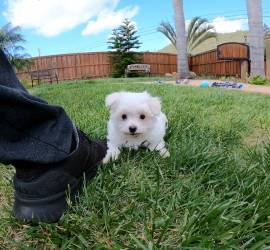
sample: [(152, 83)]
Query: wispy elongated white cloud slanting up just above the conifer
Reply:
[(108, 19)]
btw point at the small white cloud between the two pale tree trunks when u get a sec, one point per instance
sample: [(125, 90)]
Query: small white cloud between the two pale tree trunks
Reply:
[(223, 25)]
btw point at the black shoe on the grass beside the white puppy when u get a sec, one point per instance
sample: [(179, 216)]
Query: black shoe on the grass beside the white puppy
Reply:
[(41, 190)]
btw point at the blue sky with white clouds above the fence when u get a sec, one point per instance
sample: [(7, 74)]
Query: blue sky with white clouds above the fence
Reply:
[(68, 26)]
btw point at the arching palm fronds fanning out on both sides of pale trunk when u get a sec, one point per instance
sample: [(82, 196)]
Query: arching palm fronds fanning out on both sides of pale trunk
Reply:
[(199, 30)]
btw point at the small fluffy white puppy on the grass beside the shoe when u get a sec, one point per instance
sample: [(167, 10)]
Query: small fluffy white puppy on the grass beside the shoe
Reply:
[(135, 120)]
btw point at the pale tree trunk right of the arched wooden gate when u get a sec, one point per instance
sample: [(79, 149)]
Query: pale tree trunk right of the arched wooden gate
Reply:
[(256, 37)]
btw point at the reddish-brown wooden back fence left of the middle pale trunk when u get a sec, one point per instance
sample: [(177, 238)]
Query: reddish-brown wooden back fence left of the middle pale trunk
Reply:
[(88, 65)]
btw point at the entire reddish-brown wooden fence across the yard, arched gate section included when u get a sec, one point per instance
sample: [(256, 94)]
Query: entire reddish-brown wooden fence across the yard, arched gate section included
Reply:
[(226, 60)]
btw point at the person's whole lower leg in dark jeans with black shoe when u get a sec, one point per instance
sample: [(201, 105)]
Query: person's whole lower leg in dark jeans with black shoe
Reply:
[(49, 154)]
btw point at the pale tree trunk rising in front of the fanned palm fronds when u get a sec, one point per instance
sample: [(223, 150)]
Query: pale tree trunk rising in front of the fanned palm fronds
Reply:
[(181, 46)]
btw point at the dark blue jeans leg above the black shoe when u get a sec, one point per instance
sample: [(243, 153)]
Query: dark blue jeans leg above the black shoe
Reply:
[(31, 130)]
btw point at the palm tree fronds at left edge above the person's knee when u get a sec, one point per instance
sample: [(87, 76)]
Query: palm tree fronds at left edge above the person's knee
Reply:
[(10, 40)]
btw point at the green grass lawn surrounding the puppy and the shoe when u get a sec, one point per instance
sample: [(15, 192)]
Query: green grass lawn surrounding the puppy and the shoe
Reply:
[(212, 193)]
